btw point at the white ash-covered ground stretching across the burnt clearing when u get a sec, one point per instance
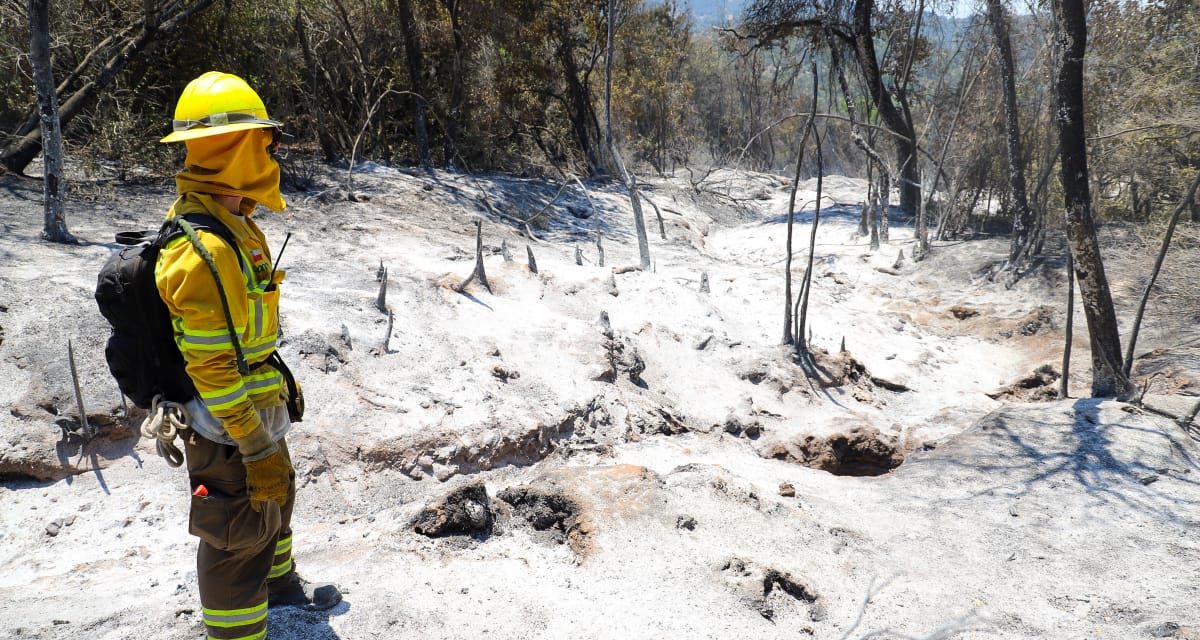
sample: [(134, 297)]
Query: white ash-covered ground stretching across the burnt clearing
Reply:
[(664, 477)]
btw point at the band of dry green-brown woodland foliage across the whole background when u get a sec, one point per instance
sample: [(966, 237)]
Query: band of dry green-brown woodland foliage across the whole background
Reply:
[(531, 80)]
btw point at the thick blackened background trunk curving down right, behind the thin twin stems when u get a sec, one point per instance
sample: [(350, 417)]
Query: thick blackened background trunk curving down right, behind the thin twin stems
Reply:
[(909, 181)]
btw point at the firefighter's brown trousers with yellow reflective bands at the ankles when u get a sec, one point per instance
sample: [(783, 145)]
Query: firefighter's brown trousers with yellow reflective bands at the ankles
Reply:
[(242, 551)]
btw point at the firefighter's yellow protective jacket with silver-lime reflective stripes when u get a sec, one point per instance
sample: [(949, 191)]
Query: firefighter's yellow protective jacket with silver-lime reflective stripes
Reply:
[(185, 284)]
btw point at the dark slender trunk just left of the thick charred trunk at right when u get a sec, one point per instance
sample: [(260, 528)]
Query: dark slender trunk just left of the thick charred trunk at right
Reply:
[(1023, 216)]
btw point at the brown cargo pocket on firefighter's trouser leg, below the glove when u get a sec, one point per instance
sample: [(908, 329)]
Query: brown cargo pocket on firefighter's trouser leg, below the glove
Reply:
[(231, 524)]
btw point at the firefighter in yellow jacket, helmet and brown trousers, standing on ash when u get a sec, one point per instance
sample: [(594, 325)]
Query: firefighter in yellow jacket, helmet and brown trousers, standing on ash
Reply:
[(241, 472)]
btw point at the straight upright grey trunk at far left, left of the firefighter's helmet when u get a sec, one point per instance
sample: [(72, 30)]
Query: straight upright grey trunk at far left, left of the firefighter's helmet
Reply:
[(53, 186)]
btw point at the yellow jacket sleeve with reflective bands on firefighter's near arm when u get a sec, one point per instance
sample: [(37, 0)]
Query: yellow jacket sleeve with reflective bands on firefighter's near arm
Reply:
[(187, 286)]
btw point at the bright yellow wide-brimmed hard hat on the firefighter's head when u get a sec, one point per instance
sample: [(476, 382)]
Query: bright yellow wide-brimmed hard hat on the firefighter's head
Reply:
[(218, 104)]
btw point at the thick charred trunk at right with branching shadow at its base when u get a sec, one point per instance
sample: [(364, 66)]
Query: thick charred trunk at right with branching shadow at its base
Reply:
[(1071, 39)]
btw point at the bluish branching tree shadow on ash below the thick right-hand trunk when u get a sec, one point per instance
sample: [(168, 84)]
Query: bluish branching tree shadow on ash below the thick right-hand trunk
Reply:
[(1085, 456)]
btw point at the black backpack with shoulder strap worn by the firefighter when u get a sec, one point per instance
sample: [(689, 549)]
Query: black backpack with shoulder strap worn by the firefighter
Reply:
[(142, 354)]
